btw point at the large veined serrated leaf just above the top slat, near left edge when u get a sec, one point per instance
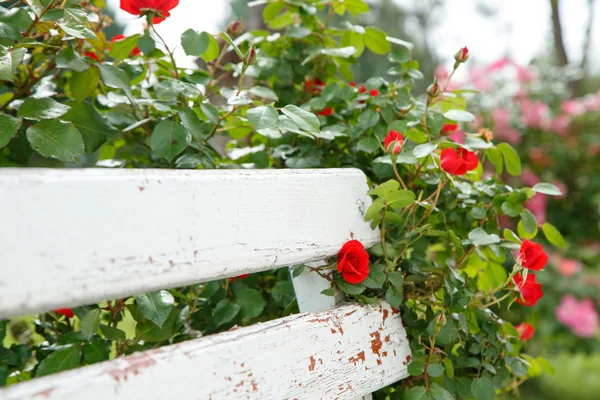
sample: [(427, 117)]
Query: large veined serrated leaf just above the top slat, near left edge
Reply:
[(56, 139)]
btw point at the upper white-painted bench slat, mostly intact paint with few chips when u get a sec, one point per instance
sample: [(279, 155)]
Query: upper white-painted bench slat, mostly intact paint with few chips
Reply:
[(72, 237)]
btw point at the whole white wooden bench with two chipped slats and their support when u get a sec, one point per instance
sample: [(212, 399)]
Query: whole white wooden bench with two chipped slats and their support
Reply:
[(73, 237)]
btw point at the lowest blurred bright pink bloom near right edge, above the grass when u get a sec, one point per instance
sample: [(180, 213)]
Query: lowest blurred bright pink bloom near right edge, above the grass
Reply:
[(581, 317)]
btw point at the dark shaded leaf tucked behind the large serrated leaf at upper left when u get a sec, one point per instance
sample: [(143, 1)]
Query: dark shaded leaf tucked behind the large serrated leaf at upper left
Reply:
[(94, 128)]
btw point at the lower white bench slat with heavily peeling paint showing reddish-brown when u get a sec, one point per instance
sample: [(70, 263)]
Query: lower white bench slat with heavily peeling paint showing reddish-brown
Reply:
[(342, 353)]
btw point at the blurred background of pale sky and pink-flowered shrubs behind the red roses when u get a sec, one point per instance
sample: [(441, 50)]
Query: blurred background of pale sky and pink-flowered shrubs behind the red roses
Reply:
[(536, 68)]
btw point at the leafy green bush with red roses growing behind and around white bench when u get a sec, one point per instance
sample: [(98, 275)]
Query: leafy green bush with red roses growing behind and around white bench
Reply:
[(443, 262)]
